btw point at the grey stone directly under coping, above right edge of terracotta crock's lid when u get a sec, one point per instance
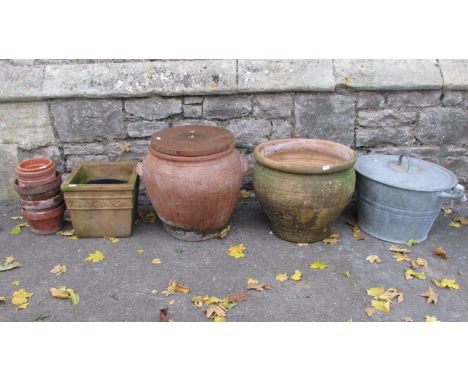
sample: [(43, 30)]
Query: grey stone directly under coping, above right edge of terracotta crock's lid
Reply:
[(225, 107)]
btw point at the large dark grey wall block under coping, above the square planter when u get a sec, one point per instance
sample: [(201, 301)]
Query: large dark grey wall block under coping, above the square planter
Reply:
[(88, 120)]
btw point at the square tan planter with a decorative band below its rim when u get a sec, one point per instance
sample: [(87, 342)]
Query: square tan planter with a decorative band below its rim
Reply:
[(102, 198)]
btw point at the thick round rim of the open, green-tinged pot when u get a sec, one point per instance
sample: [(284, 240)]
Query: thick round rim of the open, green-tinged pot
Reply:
[(344, 157)]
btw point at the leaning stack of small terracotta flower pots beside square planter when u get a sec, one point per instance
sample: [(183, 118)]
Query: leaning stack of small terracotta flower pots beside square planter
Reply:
[(38, 186)]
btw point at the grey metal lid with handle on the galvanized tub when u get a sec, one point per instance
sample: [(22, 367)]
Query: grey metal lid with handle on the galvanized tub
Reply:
[(405, 172)]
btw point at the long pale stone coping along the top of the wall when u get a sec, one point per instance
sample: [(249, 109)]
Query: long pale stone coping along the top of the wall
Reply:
[(29, 80)]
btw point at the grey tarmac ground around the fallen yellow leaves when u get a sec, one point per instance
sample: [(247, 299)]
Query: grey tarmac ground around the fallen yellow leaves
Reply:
[(119, 288)]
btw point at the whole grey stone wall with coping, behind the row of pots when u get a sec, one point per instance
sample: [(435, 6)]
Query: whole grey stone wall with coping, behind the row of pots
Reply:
[(77, 111)]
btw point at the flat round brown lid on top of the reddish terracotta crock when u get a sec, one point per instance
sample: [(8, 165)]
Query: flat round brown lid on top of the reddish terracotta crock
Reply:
[(191, 140)]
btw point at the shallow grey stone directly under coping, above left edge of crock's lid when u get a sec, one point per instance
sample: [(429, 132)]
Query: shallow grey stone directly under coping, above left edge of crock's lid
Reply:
[(154, 107)]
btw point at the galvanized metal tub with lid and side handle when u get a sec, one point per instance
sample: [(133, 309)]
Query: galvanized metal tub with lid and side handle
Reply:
[(400, 200)]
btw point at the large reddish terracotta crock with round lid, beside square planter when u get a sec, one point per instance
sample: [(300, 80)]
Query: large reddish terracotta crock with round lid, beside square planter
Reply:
[(193, 176)]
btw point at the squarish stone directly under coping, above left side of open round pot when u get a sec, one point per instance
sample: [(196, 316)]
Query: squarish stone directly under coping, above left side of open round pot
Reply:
[(272, 105)]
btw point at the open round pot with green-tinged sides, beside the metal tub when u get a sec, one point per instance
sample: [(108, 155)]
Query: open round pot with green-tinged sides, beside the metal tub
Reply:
[(303, 185)]
